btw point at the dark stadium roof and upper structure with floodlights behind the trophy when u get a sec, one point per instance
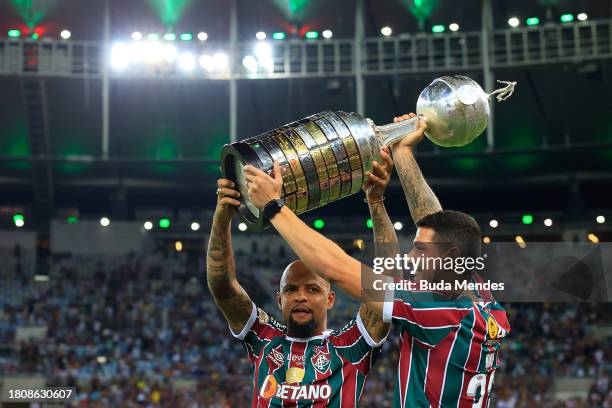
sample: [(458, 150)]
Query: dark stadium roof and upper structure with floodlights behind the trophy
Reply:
[(165, 128)]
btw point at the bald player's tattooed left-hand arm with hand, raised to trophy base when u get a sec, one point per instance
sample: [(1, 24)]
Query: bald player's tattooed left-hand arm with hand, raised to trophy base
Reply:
[(229, 296)]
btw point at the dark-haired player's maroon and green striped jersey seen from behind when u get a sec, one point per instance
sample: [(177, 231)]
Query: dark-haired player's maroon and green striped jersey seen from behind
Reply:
[(449, 348)]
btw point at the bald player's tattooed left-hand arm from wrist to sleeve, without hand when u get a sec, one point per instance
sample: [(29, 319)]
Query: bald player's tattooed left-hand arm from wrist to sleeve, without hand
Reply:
[(229, 296)]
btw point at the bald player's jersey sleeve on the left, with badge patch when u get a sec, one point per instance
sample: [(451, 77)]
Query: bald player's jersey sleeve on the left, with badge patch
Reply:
[(260, 329)]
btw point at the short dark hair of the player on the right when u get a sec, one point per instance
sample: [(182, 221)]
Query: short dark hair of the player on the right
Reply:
[(456, 228)]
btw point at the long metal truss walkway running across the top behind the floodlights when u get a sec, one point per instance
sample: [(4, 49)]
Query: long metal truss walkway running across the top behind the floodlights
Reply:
[(419, 53)]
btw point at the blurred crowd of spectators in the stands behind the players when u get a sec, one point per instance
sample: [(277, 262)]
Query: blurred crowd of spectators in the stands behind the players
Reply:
[(142, 330)]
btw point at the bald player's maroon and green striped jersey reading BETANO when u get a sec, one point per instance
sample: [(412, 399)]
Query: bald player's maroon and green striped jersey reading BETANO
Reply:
[(328, 370)]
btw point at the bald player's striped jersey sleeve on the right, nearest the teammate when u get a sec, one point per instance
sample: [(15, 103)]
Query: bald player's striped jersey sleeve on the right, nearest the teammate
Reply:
[(355, 345)]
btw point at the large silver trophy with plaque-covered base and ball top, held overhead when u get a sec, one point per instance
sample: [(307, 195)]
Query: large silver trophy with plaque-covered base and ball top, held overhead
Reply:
[(325, 156)]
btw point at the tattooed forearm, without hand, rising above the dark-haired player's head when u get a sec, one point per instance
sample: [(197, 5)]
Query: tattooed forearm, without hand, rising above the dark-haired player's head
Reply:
[(421, 199)]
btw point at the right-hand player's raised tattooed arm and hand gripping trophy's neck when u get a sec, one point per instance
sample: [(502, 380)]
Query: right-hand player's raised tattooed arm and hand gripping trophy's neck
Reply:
[(421, 199)]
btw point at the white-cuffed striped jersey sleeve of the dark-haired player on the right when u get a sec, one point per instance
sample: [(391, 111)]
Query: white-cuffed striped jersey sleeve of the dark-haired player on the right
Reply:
[(427, 316)]
